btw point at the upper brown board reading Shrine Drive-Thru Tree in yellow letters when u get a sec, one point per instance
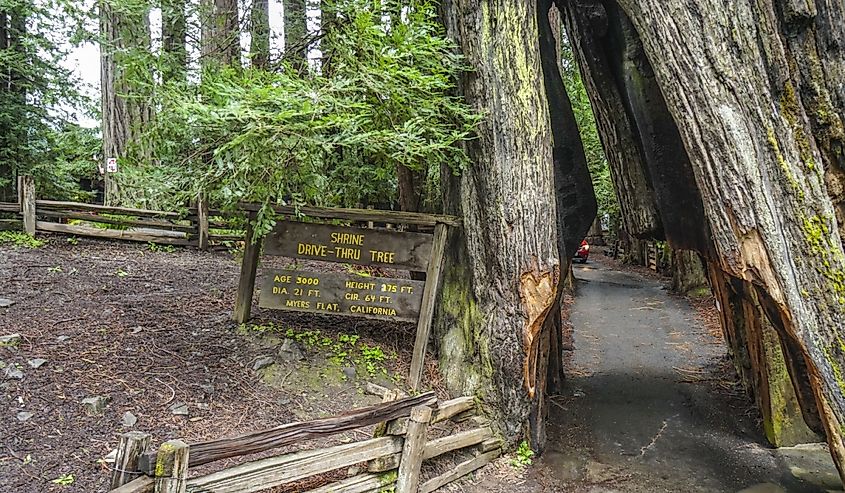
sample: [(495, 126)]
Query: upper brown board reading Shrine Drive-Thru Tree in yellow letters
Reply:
[(402, 250)]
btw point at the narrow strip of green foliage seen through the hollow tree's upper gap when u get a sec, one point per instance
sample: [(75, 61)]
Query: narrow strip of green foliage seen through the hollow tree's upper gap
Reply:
[(596, 159)]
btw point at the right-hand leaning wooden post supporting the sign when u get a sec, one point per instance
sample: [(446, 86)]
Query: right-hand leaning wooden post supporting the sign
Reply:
[(432, 284)]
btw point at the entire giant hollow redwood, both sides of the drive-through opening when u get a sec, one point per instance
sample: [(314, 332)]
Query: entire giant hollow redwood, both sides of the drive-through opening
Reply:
[(723, 124)]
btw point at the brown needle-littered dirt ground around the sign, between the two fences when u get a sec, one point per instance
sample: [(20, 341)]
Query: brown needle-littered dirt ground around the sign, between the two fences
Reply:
[(150, 331)]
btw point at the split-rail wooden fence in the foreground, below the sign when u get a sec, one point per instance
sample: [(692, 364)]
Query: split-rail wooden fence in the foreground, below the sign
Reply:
[(394, 456)]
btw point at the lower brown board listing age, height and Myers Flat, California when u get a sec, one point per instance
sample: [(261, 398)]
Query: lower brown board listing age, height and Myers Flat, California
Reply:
[(338, 294)]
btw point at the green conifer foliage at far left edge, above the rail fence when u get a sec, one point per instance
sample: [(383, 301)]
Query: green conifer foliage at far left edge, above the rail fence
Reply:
[(37, 135)]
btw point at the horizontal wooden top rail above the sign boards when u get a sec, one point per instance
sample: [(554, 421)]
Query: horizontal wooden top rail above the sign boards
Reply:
[(396, 217)]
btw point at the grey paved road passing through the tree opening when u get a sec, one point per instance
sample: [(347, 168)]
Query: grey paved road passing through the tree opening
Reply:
[(631, 421)]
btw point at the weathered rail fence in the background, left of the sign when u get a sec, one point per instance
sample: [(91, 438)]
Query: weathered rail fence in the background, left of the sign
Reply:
[(198, 226)]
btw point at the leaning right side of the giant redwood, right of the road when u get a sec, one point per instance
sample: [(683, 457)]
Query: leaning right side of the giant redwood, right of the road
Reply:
[(752, 90)]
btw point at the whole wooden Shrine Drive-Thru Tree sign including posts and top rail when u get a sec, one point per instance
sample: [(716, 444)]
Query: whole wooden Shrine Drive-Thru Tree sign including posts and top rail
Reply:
[(351, 294)]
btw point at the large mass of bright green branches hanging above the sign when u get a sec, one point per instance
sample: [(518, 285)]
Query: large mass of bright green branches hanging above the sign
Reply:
[(333, 136)]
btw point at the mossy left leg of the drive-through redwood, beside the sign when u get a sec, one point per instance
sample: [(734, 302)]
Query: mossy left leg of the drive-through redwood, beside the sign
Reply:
[(502, 282)]
